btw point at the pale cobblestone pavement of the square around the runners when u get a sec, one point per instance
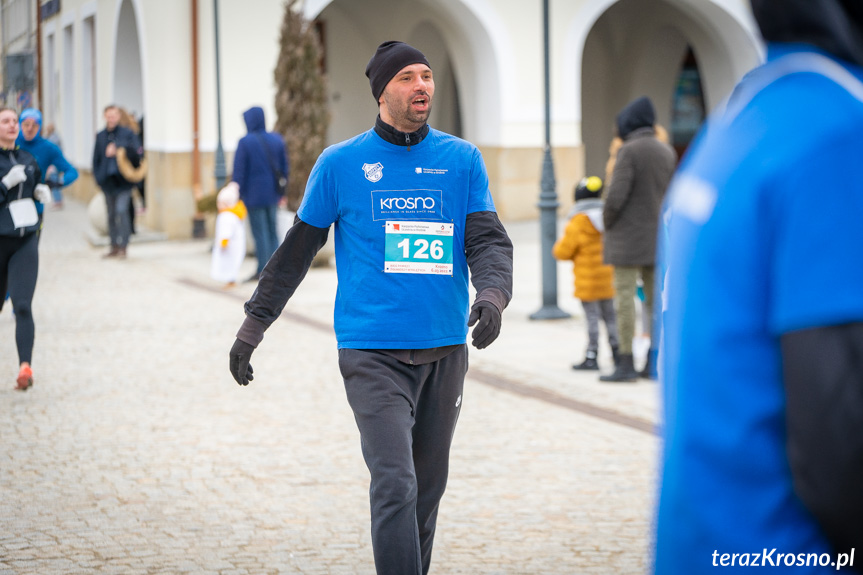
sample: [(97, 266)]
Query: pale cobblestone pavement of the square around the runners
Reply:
[(135, 452)]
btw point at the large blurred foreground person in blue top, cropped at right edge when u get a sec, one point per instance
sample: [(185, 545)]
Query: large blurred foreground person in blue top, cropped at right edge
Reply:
[(763, 351)]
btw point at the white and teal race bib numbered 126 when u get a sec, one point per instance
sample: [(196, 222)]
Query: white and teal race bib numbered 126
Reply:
[(418, 248)]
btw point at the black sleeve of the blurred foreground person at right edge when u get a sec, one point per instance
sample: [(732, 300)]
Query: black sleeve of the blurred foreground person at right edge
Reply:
[(823, 375)]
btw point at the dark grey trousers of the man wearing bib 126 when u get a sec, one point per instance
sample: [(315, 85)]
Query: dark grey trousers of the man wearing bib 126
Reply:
[(406, 415)]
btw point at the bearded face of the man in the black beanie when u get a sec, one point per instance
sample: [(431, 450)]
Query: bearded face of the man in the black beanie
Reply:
[(406, 101)]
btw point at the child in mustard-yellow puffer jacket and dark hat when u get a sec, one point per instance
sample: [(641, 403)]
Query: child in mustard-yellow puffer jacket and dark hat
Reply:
[(594, 282)]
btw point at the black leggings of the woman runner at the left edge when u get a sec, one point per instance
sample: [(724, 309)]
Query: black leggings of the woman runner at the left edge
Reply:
[(19, 267)]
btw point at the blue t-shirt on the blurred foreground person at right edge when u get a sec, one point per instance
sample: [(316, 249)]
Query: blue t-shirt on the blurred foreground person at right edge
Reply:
[(764, 239)]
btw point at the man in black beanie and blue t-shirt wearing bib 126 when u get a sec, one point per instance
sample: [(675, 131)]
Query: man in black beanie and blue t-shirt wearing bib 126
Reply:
[(412, 214)]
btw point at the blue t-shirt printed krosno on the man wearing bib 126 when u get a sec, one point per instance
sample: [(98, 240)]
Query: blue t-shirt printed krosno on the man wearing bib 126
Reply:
[(399, 216)]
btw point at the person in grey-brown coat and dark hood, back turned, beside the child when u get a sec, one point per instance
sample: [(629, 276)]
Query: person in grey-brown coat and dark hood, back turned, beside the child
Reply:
[(633, 202)]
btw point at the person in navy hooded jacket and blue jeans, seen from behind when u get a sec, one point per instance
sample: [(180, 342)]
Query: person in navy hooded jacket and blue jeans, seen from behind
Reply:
[(260, 161)]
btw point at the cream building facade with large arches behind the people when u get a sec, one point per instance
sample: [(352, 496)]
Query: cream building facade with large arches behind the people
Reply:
[(487, 55)]
